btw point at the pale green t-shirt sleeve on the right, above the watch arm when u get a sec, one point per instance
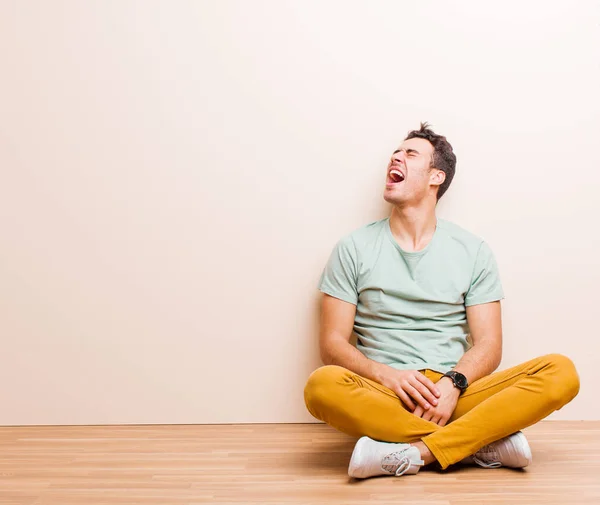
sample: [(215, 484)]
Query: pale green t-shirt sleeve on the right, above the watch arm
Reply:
[(485, 282)]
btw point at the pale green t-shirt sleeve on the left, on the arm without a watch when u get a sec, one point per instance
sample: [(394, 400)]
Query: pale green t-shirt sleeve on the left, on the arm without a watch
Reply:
[(340, 276)]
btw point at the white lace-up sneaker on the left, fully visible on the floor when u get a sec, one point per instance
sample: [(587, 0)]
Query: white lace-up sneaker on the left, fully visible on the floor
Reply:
[(371, 458)]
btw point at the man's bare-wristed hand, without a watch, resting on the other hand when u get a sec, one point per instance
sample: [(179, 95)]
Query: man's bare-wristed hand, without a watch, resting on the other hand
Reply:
[(412, 387)]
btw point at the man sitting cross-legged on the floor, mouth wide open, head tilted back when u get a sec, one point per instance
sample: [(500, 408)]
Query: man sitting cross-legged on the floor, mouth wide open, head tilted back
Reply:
[(422, 297)]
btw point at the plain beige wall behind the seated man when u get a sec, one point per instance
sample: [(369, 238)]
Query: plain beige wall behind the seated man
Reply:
[(175, 174)]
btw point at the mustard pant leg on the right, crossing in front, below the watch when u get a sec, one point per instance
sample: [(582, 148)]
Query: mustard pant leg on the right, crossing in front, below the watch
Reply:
[(503, 403)]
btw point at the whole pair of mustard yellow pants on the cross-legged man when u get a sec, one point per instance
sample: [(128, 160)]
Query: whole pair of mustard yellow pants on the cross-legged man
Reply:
[(491, 408)]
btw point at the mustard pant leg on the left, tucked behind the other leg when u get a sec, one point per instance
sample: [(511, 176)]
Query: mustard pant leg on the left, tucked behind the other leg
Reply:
[(359, 406)]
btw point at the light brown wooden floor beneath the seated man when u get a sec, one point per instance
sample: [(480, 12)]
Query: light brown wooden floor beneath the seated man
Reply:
[(272, 464)]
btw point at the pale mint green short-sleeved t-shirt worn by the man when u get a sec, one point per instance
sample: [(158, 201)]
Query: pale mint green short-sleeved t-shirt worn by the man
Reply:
[(411, 306)]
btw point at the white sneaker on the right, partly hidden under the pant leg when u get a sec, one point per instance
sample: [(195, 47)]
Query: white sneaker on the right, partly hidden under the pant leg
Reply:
[(512, 451)]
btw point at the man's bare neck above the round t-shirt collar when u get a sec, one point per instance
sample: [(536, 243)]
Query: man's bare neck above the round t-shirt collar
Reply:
[(413, 226)]
